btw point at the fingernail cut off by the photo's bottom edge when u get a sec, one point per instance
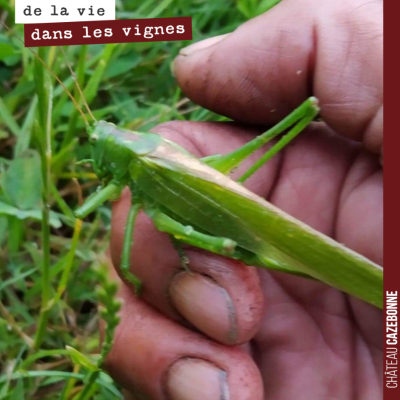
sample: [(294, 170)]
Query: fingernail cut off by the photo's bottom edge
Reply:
[(195, 379)]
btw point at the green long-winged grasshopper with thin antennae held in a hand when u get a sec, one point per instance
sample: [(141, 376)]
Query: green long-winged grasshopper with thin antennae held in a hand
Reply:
[(198, 204)]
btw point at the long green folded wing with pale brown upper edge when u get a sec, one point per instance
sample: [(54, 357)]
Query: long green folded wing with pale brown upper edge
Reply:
[(213, 202)]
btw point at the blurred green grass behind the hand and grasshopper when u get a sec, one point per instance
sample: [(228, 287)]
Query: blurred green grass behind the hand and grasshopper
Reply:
[(49, 344)]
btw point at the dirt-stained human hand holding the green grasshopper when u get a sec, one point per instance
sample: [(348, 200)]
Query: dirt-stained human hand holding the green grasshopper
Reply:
[(301, 339)]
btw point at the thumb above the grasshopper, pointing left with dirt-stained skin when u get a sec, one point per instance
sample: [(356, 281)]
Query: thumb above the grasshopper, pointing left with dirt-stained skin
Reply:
[(268, 66)]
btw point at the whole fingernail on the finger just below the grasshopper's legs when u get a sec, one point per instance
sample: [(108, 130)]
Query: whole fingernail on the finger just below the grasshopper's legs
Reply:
[(206, 305)]
